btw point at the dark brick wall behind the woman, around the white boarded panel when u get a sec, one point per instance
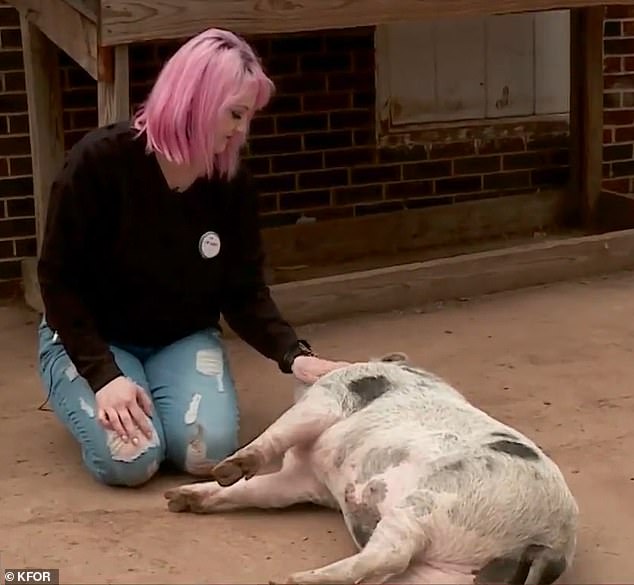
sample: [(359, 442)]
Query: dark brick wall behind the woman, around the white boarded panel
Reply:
[(313, 151)]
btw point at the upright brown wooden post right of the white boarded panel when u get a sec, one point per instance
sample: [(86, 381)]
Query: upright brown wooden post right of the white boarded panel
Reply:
[(586, 109)]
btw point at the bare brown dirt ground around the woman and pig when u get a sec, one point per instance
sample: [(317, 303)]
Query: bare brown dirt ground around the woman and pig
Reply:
[(554, 361)]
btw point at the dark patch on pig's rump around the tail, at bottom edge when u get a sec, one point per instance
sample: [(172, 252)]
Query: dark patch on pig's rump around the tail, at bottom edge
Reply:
[(535, 564)]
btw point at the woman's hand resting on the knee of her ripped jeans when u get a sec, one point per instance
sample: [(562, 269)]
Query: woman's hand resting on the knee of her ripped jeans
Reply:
[(122, 407)]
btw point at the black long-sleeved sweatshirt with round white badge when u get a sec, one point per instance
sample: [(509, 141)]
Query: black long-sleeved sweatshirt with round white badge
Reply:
[(126, 260)]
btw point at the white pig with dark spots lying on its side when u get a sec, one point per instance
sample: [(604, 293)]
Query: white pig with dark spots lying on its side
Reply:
[(432, 489)]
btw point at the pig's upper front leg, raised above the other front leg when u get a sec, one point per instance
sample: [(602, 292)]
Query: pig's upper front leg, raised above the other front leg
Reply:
[(302, 423)]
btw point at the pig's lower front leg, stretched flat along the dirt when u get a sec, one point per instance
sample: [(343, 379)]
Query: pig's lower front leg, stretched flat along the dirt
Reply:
[(295, 483)]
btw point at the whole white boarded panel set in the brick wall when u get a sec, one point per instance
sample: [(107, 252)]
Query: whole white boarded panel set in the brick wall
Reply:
[(475, 68)]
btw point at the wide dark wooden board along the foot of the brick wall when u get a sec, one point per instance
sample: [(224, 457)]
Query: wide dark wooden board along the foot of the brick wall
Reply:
[(342, 240)]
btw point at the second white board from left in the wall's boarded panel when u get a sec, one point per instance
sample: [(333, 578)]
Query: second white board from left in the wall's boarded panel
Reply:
[(460, 69)]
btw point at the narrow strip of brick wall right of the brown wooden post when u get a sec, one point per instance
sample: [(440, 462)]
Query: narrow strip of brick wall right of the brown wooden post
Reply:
[(618, 100)]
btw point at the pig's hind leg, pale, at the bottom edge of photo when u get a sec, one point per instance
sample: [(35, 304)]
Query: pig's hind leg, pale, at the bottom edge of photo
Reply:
[(389, 551)]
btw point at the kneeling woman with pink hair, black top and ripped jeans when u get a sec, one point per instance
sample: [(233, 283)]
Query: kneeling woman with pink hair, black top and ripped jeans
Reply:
[(152, 233)]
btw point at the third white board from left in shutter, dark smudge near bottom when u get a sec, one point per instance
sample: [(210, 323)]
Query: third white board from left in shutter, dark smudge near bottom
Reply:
[(509, 60)]
